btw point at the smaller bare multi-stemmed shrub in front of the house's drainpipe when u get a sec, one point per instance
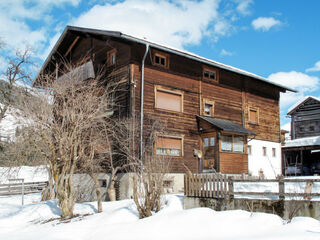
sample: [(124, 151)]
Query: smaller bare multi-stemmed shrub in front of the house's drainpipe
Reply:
[(149, 172)]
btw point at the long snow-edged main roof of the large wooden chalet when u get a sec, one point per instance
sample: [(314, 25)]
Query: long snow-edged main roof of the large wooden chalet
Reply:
[(160, 47)]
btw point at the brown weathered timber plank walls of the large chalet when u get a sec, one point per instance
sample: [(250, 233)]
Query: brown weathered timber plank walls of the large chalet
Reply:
[(202, 88)]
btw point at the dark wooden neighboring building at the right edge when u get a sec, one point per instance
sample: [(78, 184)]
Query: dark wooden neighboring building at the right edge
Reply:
[(301, 154)]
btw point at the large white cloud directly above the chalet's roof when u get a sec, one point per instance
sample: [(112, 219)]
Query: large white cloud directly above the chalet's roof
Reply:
[(176, 23)]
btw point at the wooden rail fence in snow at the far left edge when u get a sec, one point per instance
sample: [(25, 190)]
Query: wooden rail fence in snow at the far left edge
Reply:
[(18, 188)]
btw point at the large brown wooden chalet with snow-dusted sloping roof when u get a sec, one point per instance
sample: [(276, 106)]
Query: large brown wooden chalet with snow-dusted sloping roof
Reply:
[(219, 118)]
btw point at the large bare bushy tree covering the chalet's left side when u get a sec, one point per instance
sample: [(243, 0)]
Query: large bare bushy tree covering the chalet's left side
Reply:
[(67, 114)]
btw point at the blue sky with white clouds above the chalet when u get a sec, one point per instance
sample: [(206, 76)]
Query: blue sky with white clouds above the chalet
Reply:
[(276, 39)]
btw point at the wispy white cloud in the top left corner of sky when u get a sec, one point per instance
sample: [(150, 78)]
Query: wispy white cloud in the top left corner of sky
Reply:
[(17, 32)]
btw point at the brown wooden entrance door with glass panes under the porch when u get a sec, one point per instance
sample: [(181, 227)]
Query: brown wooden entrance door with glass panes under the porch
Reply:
[(209, 149)]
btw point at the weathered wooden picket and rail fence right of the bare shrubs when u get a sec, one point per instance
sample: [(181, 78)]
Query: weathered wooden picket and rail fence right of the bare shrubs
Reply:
[(222, 186)]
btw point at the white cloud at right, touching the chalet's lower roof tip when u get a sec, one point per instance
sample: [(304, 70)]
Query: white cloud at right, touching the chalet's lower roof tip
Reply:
[(301, 82)]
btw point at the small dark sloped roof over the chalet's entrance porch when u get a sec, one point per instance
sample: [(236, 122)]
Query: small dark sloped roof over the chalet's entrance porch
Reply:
[(227, 125)]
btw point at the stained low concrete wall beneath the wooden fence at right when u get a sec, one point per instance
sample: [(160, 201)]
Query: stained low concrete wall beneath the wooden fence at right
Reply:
[(284, 208)]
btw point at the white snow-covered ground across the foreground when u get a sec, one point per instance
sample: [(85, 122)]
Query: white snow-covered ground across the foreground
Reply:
[(120, 221)]
